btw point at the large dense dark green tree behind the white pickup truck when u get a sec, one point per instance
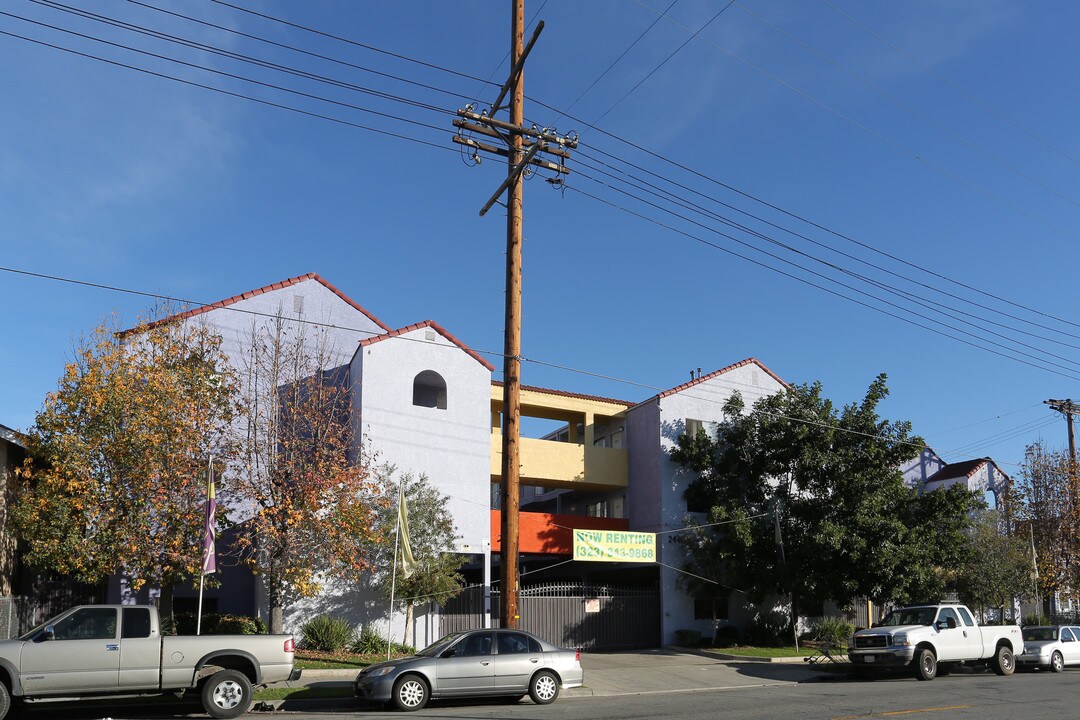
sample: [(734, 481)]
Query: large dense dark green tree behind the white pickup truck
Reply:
[(849, 524)]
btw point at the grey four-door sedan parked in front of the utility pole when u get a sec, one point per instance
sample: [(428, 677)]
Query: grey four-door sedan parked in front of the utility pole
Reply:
[(487, 663)]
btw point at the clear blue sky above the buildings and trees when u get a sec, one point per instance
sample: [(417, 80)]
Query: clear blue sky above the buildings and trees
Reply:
[(935, 139)]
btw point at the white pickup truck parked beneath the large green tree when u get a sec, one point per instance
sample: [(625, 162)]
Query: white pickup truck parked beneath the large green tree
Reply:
[(931, 641)]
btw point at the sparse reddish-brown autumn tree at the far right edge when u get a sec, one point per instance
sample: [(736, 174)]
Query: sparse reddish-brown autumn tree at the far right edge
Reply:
[(1046, 502)]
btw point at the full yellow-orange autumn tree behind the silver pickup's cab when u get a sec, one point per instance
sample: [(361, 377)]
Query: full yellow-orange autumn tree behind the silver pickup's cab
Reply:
[(115, 480)]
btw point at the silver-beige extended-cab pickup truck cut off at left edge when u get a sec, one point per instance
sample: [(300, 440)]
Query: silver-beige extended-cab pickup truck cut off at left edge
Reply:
[(102, 651)]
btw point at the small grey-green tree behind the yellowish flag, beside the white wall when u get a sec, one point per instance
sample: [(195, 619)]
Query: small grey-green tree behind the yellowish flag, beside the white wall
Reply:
[(433, 536)]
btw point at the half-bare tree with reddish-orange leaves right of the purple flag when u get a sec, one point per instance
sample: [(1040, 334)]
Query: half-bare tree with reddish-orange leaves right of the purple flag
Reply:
[(307, 502)]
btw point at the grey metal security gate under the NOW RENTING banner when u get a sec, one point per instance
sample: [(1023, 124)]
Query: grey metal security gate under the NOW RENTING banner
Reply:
[(571, 615)]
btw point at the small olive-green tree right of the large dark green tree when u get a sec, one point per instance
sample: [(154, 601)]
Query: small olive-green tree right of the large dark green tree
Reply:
[(998, 567)]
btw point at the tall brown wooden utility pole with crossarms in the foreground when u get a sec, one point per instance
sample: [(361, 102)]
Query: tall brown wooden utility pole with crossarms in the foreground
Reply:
[(521, 156)]
